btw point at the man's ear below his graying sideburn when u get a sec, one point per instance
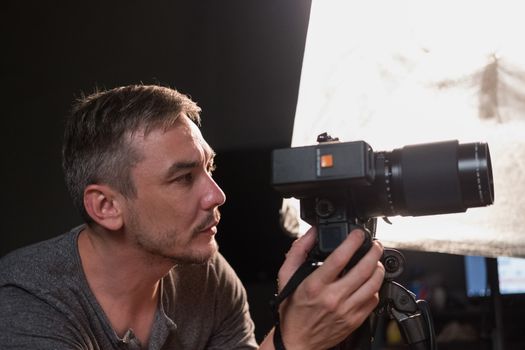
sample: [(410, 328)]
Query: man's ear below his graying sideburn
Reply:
[(103, 205)]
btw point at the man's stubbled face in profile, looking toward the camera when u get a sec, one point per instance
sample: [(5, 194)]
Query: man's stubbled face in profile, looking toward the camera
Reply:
[(176, 211)]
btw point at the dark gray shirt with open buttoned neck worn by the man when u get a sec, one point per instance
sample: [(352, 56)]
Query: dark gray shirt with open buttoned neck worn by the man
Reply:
[(46, 303)]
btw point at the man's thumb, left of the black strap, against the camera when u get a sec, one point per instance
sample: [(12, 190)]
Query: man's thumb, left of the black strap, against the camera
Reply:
[(296, 256)]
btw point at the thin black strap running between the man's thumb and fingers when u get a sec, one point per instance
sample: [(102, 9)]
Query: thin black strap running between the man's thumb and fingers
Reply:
[(302, 272)]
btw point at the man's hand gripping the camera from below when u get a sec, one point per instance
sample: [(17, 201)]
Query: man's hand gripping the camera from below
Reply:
[(327, 307)]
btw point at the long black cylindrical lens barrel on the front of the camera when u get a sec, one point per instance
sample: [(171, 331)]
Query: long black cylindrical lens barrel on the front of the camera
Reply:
[(428, 179)]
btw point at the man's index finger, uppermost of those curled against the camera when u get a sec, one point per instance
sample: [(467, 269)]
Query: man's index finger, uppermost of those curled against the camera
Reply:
[(334, 264)]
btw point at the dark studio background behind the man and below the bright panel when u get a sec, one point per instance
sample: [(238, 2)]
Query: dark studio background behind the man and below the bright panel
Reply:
[(240, 60)]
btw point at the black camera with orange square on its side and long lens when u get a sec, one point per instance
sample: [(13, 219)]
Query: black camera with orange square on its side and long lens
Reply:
[(343, 185)]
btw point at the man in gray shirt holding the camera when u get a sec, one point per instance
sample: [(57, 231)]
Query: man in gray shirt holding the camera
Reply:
[(144, 271)]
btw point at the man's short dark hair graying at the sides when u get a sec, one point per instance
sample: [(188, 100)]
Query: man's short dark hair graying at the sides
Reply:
[(96, 145)]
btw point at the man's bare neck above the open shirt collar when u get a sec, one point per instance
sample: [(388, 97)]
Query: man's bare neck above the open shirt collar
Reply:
[(124, 280)]
